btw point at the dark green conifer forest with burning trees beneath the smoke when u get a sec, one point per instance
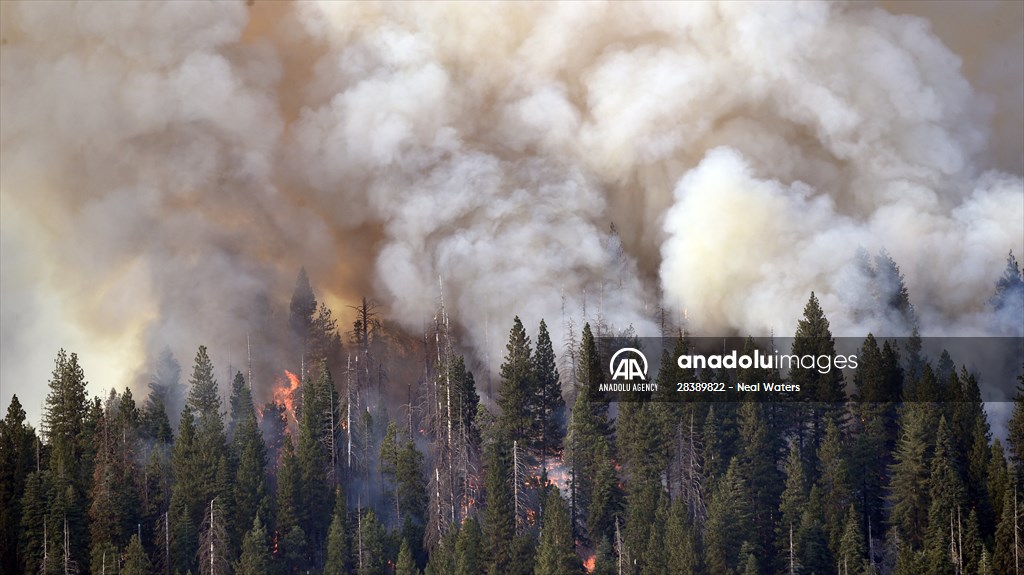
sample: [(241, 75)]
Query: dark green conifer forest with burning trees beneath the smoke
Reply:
[(897, 472)]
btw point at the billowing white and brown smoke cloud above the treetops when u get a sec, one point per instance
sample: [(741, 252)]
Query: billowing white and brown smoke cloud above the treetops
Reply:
[(168, 168)]
